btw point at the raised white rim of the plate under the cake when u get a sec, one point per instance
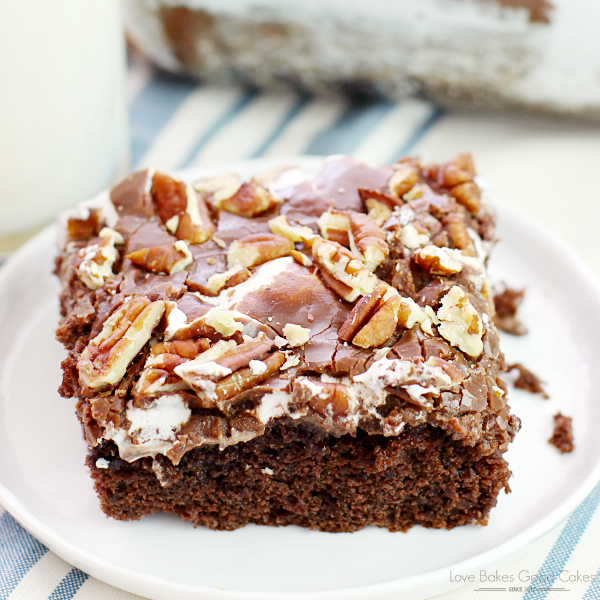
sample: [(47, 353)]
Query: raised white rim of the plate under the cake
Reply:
[(138, 582)]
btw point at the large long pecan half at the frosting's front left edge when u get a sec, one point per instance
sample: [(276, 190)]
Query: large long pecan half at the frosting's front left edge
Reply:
[(106, 358)]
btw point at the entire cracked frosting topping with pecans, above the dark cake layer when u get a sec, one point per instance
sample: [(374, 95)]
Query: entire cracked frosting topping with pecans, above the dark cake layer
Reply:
[(354, 299)]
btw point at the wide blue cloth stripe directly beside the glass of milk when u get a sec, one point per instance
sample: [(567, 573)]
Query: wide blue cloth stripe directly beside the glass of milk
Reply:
[(153, 107)]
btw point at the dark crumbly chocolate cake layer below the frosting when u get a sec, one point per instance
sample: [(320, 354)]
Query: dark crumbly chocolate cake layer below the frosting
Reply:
[(298, 475)]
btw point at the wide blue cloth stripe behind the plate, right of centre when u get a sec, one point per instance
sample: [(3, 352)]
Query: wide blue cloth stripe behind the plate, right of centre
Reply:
[(355, 123)]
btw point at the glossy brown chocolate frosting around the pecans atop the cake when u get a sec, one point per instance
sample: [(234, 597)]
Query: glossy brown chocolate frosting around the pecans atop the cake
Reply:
[(297, 311)]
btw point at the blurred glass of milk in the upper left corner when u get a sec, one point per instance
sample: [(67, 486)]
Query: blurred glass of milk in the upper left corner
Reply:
[(63, 114)]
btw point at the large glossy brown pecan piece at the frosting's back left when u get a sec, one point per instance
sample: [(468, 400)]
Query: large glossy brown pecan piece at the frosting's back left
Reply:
[(182, 210)]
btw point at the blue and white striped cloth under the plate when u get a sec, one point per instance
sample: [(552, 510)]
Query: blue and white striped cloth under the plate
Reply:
[(177, 123)]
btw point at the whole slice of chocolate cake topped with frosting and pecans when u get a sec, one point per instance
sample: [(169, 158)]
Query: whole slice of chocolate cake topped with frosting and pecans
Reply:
[(318, 351)]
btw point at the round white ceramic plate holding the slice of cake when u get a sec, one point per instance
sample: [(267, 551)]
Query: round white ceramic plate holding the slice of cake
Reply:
[(45, 485)]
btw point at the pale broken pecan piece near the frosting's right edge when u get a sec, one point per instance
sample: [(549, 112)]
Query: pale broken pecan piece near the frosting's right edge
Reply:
[(460, 323)]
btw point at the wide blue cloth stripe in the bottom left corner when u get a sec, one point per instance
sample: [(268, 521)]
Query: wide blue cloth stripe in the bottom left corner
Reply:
[(19, 551)]
